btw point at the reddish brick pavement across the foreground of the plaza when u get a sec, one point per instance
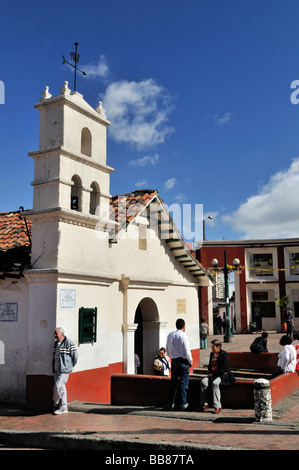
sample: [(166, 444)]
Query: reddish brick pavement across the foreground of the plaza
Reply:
[(103, 427)]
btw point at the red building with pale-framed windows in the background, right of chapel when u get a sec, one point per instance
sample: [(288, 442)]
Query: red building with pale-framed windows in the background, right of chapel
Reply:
[(269, 269)]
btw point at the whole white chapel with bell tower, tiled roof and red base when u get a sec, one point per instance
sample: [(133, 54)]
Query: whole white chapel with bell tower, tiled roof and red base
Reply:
[(113, 271)]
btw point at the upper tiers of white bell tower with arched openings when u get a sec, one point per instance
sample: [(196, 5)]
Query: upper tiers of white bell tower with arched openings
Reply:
[(70, 165)]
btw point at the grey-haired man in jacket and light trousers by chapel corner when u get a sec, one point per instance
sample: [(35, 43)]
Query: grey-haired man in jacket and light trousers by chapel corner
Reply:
[(65, 357)]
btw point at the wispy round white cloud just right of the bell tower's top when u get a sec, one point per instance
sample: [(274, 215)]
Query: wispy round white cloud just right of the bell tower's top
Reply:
[(138, 112)]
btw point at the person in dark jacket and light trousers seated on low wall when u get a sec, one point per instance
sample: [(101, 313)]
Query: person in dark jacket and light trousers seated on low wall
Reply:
[(219, 373)]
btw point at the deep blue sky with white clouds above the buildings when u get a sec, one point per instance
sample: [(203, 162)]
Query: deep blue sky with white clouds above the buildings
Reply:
[(198, 94)]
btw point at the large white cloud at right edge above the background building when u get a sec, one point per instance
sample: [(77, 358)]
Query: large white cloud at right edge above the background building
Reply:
[(274, 211)]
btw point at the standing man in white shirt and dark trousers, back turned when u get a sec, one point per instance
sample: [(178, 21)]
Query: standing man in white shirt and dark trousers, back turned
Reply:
[(178, 349)]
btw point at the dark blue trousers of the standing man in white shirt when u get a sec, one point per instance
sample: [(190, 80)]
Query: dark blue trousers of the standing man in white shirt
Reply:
[(179, 382)]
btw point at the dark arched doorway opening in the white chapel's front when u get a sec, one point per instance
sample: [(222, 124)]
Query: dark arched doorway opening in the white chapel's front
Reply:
[(147, 334)]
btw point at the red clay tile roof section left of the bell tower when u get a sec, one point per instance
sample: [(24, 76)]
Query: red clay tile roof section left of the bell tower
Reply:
[(13, 231)]
